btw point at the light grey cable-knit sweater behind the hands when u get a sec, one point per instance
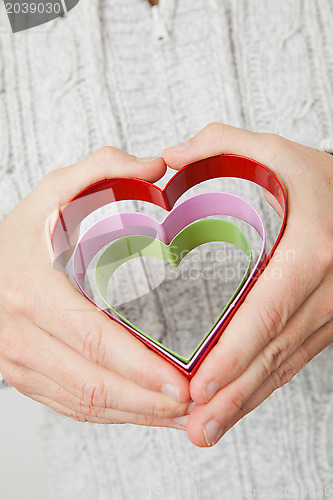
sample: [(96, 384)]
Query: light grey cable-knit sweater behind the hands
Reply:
[(104, 75)]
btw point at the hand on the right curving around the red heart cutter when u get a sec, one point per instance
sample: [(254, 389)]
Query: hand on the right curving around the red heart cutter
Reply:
[(283, 323)]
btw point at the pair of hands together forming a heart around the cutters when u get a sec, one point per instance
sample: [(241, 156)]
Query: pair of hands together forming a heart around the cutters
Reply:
[(59, 349)]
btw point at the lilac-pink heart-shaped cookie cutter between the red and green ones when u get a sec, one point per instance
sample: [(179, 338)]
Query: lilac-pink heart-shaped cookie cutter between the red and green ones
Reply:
[(190, 211)]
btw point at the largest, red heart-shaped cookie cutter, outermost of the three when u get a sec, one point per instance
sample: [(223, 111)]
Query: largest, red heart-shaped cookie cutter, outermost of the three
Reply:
[(64, 233)]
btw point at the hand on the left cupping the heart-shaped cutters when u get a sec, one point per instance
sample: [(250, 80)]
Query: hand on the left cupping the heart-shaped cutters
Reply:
[(55, 346)]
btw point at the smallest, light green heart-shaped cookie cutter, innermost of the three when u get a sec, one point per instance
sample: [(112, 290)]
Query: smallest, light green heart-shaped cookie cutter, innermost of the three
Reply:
[(193, 235)]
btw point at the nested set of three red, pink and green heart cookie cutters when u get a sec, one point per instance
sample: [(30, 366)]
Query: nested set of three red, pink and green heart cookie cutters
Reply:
[(124, 236)]
